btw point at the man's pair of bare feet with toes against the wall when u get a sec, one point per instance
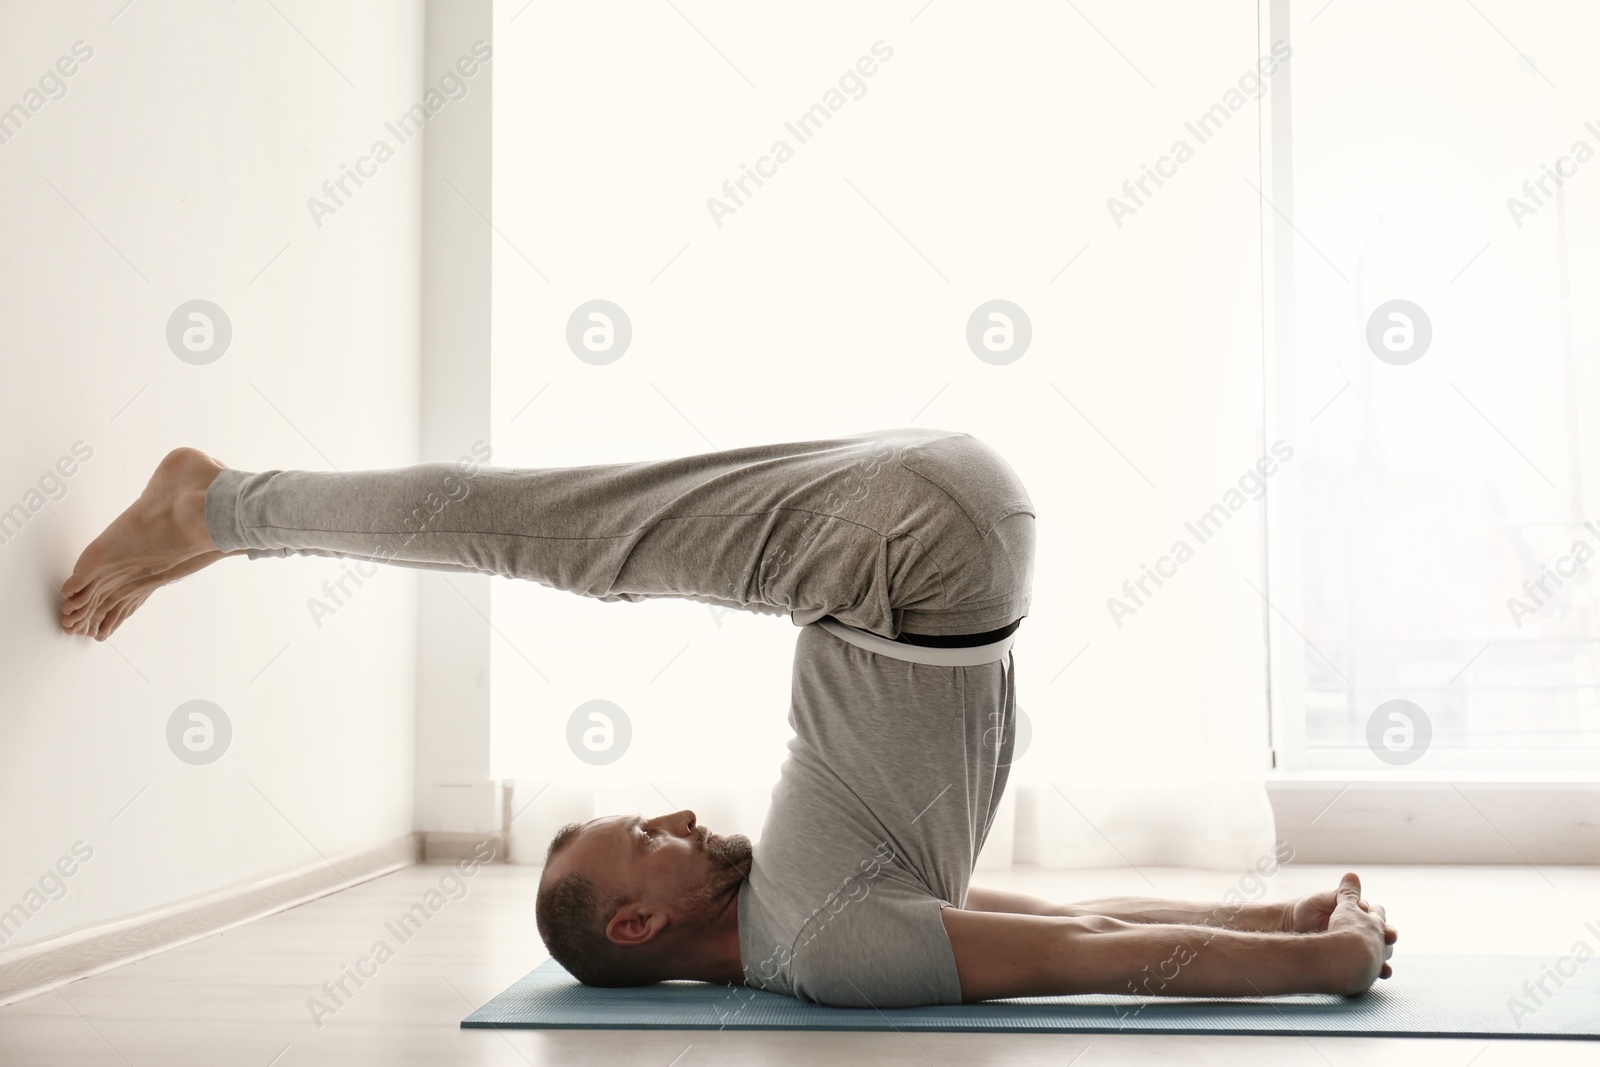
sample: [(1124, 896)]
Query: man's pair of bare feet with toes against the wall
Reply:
[(158, 540)]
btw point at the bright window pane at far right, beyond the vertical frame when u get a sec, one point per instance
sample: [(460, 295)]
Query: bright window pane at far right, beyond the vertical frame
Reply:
[(1434, 362)]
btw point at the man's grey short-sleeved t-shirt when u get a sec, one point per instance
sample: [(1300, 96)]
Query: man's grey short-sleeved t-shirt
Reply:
[(894, 777)]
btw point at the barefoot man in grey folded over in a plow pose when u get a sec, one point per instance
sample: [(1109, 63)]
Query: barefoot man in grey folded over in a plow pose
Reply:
[(906, 559)]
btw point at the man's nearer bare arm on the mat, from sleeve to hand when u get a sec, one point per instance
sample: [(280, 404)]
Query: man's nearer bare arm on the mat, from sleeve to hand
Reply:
[(1001, 954)]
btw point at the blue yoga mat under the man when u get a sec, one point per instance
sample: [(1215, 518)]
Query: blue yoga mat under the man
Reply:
[(1430, 996)]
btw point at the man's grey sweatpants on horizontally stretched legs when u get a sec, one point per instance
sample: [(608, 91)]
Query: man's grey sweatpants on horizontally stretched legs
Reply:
[(910, 530)]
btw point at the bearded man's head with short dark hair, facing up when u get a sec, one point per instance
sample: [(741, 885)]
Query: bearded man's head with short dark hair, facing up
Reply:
[(625, 900)]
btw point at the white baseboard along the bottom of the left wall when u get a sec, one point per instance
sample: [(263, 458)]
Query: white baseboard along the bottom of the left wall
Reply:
[(33, 969)]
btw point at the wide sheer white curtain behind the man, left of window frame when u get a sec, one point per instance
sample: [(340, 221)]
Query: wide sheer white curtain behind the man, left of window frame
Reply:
[(990, 156)]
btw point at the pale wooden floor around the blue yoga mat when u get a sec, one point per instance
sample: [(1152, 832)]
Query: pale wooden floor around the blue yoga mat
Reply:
[(242, 997)]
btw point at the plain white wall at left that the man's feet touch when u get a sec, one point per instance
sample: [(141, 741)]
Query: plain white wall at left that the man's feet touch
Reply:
[(178, 166)]
